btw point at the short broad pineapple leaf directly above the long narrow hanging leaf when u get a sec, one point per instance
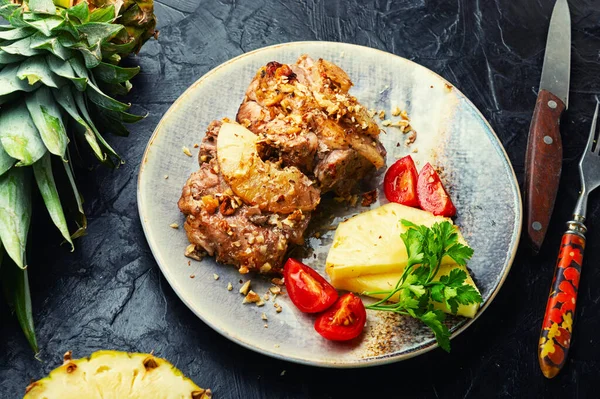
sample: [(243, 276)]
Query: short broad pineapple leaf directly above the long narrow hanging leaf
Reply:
[(46, 116)]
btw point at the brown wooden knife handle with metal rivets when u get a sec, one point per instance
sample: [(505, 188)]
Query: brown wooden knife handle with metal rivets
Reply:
[(543, 163)]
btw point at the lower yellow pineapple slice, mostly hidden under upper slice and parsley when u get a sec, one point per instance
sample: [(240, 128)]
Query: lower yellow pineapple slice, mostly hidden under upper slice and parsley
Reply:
[(387, 281)]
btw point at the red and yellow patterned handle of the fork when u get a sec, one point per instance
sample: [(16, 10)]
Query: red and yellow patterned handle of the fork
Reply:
[(555, 337)]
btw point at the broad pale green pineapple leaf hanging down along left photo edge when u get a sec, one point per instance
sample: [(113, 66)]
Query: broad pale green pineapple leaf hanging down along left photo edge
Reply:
[(15, 213)]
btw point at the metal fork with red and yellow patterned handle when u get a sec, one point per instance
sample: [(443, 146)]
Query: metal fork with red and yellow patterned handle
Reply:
[(555, 337)]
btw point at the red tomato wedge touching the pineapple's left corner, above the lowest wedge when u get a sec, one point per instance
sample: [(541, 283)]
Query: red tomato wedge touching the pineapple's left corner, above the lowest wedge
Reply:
[(310, 292)]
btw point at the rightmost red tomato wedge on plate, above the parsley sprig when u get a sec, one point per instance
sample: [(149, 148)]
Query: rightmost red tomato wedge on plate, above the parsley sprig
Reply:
[(433, 197)]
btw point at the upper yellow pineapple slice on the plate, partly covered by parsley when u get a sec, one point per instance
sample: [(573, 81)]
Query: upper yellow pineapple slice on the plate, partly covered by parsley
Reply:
[(370, 243)]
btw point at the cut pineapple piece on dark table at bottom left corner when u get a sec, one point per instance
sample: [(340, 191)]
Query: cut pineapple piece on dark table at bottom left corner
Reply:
[(113, 375)]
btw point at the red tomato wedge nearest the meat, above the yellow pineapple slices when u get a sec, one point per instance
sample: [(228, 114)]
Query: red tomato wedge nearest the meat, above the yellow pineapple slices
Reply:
[(400, 182)]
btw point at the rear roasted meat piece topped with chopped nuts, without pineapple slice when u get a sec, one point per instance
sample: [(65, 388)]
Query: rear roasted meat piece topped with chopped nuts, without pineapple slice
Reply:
[(306, 118)]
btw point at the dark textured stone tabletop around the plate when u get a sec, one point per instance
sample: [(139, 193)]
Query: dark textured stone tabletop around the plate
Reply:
[(110, 293)]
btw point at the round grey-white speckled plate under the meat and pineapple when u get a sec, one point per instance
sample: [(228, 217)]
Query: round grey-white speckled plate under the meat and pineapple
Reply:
[(451, 133)]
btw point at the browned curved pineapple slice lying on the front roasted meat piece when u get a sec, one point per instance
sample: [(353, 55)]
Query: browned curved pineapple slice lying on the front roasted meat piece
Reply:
[(258, 182)]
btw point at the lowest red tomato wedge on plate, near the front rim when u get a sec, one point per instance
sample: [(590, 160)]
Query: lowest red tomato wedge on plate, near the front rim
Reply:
[(344, 320)]
